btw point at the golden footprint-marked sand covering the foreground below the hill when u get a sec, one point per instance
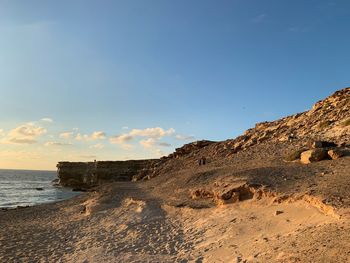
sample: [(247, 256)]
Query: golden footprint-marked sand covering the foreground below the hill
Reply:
[(126, 222)]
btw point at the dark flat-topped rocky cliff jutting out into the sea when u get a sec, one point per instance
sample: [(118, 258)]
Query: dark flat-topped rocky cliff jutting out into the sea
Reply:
[(89, 174)]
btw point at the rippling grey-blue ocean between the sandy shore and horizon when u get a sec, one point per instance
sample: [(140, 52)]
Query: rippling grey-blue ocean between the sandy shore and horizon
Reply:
[(20, 188)]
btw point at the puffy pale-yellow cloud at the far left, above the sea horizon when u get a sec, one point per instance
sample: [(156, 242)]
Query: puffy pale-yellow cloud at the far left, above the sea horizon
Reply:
[(24, 134)]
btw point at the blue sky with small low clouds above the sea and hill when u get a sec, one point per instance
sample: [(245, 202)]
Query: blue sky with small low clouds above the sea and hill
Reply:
[(113, 80)]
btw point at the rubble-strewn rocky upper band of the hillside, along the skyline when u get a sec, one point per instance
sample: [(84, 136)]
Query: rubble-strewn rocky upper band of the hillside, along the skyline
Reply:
[(329, 120)]
